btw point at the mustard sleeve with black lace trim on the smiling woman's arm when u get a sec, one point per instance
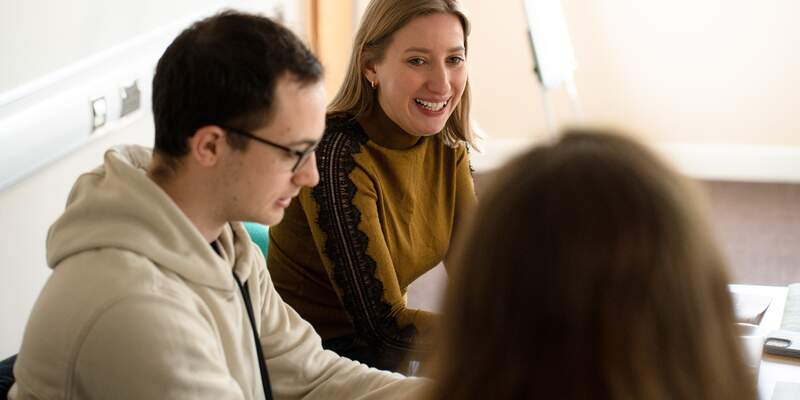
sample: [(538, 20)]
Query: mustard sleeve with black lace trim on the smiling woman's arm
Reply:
[(347, 232)]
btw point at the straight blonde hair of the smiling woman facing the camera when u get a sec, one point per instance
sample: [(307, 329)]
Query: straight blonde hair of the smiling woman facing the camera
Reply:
[(381, 20)]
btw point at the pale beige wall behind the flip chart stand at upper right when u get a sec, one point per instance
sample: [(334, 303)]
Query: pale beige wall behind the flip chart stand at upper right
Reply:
[(682, 71)]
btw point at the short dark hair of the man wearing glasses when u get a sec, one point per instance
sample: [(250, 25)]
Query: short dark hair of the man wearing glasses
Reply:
[(223, 70)]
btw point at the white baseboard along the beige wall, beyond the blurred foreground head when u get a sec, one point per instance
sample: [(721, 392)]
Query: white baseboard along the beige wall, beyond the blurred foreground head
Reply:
[(748, 163)]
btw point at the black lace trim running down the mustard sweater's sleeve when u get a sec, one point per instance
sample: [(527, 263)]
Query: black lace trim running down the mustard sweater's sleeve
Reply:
[(346, 245)]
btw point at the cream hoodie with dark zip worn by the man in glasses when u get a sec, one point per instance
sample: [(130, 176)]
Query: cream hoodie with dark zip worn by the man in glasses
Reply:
[(139, 306)]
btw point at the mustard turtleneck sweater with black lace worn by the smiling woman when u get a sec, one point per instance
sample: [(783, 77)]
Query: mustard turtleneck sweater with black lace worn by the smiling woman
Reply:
[(383, 214)]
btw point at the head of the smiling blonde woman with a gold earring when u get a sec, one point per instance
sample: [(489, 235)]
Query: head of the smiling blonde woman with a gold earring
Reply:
[(414, 53)]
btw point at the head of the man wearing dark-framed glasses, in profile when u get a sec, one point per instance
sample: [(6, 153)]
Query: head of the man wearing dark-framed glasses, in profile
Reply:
[(228, 81)]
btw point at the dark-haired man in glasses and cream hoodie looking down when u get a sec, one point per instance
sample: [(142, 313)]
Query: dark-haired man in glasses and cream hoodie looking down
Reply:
[(155, 292)]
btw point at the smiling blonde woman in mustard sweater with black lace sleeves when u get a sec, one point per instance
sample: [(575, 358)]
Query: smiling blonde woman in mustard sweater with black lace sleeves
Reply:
[(394, 183)]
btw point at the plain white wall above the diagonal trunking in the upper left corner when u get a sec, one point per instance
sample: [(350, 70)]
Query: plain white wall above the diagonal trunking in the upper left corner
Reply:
[(104, 24)]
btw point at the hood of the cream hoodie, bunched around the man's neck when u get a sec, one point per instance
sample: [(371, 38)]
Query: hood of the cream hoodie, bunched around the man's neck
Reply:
[(118, 206)]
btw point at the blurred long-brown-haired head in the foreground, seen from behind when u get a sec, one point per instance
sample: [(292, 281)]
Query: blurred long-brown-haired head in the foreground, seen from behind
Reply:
[(589, 272)]
